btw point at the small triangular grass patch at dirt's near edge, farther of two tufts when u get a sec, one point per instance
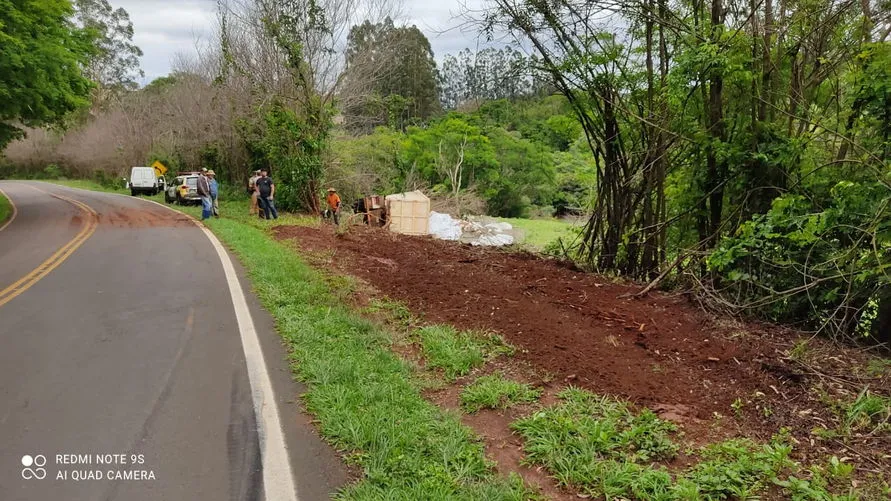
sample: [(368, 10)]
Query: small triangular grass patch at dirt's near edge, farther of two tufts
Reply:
[(458, 352)]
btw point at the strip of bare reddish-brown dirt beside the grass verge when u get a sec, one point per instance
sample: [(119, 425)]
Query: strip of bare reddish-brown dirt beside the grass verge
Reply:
[(659, 351)]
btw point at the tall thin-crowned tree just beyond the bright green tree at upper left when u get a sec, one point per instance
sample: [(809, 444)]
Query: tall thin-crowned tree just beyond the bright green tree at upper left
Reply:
[(114, 66)]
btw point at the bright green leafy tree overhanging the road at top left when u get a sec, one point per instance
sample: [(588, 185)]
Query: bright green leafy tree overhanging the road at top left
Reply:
[(41, 56)]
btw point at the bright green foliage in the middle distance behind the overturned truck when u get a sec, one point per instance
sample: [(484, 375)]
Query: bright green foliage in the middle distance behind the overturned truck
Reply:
[(508, 155)]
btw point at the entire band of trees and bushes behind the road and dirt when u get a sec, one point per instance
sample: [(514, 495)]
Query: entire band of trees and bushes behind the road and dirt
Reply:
[(712, 156)]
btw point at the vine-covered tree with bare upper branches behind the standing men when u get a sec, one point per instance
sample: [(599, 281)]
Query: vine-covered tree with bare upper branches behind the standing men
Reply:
[(282, 63)]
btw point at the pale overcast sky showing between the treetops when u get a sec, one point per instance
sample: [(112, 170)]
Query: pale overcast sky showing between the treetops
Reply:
[(164, 28)]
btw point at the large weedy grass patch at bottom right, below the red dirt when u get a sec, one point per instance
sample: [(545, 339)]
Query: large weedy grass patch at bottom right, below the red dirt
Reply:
[(599, 446)]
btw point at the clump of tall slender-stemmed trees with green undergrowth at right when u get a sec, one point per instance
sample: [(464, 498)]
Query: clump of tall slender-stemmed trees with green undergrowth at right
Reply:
[(729, 126)]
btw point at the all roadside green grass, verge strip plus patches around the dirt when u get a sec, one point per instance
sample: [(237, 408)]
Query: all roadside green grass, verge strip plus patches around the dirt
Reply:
[(368, 404)]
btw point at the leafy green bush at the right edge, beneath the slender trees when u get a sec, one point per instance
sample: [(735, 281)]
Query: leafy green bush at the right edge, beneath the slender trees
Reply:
[(810, 264)]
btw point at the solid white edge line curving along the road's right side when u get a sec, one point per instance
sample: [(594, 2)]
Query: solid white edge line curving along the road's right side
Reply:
[(278, 479)]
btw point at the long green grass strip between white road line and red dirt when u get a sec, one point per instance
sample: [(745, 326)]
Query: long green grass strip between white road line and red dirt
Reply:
[(361, 394)]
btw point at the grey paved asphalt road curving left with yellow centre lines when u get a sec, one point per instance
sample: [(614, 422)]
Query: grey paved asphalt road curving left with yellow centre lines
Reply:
[(131, 346)]
